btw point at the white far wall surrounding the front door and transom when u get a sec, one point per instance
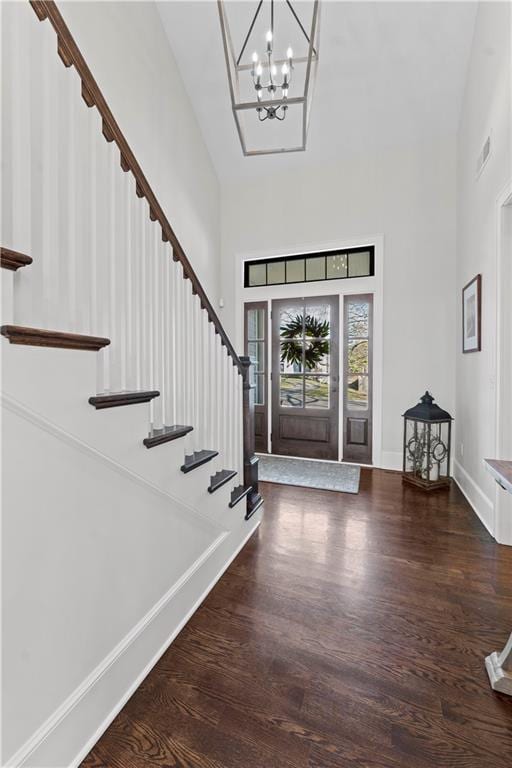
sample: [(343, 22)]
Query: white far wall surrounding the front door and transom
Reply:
[(408, 196)]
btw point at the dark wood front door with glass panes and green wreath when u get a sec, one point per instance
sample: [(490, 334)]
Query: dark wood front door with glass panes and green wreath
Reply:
[(305, 377)]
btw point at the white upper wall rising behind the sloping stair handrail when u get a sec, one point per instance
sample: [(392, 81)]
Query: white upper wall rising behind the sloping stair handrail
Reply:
[(129, 54)]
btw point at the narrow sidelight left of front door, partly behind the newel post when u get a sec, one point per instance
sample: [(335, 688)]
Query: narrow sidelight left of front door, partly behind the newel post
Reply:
[(256, 346)]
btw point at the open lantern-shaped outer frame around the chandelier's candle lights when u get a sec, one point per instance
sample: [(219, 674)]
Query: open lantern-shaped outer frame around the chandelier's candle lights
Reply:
[(234, 68)]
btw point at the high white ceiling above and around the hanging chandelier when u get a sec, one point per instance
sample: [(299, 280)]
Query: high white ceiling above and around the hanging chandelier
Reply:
[(389, 74)]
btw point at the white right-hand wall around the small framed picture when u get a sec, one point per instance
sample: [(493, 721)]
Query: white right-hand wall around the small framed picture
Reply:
[(486, 109)]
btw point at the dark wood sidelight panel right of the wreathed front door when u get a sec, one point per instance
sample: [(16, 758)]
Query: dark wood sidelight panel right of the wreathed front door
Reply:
[(357, 378)]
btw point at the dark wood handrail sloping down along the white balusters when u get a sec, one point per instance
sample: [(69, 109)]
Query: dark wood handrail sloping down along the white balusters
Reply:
[(70, 54)]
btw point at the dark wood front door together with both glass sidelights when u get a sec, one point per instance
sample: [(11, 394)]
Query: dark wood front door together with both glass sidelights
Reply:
[(314, 376)]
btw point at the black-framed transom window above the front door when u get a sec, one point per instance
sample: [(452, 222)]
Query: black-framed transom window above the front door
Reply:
[(310, 267)]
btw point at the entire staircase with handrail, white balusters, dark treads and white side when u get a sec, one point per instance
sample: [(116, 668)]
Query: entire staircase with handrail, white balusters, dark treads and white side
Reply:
[(97, 524)]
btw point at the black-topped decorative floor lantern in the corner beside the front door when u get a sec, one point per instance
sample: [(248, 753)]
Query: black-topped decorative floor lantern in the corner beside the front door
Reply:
[(427, 438)]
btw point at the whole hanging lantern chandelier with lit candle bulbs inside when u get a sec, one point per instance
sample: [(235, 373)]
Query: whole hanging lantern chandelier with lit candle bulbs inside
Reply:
[(277, 84)]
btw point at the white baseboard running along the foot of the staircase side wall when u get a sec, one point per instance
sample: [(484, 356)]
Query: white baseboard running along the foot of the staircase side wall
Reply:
[(69, 734)]
